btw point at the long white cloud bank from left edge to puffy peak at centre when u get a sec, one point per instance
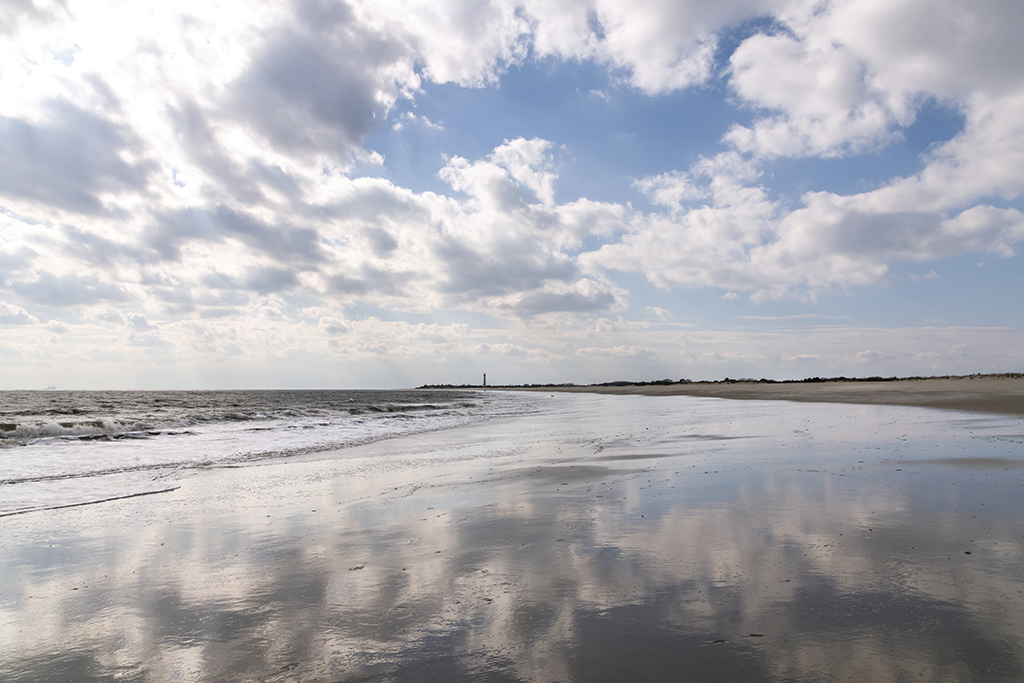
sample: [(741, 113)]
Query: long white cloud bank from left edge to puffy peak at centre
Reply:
[(508, 249)]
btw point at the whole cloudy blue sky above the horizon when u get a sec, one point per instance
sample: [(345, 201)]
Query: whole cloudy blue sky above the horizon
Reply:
[(394, 193)]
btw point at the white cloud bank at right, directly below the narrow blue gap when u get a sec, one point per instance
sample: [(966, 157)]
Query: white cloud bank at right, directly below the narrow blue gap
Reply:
[(738, 239)]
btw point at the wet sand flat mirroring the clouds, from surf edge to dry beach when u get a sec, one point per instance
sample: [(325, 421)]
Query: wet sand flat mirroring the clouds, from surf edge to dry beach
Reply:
[(608, 539)]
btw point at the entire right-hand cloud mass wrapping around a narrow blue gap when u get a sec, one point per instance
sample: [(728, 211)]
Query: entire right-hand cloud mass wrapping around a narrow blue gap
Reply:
[(828, 87)]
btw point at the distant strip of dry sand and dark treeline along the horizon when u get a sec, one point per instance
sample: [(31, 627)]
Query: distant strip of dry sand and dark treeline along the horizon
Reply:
[(999, 394)]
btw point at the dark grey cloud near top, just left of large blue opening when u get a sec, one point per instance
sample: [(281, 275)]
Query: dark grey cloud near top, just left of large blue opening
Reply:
[(317, 91)]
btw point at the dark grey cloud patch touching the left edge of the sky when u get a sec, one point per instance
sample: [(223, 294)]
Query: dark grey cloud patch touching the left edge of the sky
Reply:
[(69, 161)]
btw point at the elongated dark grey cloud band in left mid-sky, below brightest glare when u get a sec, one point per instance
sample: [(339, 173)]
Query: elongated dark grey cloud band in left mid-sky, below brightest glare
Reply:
[(294, 245)]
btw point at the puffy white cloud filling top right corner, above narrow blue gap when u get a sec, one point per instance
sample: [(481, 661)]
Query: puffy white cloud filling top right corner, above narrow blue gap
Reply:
[(842, 78)]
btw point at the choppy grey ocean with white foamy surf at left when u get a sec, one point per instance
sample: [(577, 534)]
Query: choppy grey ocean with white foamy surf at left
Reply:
[(61, 449)]
